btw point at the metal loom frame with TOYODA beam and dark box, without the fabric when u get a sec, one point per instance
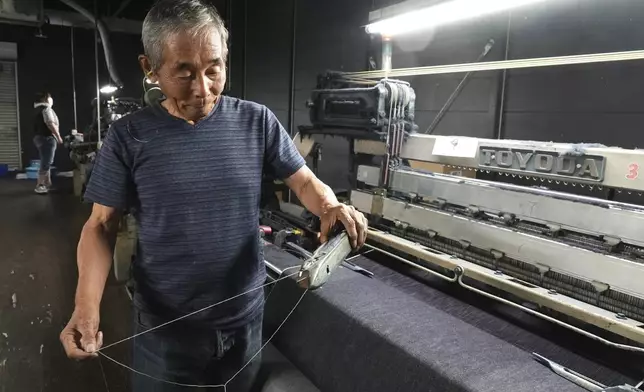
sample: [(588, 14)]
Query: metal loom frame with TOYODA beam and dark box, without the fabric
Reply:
[(573, 260)]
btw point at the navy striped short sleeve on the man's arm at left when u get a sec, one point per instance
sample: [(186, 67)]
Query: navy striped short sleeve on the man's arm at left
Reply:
[(111, 180)]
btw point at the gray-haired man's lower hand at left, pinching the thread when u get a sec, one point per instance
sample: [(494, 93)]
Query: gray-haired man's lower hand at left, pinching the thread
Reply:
[(81, 338)]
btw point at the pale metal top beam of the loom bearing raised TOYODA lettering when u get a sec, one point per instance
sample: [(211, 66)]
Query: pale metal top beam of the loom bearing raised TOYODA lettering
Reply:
[(614, 167)]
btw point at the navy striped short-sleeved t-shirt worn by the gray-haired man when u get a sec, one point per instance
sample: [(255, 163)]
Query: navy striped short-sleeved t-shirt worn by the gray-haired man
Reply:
[(195, 191)]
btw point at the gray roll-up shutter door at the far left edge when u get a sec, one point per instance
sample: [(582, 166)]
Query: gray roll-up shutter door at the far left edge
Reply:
[(9, 129)]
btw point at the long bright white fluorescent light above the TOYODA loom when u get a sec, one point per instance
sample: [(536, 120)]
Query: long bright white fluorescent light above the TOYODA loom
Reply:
[(441, 14)]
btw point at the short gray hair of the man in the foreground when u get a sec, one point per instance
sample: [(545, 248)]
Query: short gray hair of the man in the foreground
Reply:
[(169, 17)]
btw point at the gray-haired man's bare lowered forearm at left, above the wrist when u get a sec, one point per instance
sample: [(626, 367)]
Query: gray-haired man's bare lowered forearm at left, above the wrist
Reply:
[(94, 264)]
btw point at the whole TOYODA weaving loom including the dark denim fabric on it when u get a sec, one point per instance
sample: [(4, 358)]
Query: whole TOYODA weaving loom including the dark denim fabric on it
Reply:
[(541, 240)]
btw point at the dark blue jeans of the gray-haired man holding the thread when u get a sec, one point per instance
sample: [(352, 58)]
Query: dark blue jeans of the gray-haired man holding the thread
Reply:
[(195, 355)]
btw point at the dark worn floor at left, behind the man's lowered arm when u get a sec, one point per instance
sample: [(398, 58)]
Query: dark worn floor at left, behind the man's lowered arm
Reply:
[(38, 237)]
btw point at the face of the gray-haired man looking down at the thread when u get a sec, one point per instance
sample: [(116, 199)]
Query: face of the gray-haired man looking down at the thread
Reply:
[(192, 74)]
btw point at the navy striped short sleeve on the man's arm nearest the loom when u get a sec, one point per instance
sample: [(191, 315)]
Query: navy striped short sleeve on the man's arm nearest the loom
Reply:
[(281, 157)]
